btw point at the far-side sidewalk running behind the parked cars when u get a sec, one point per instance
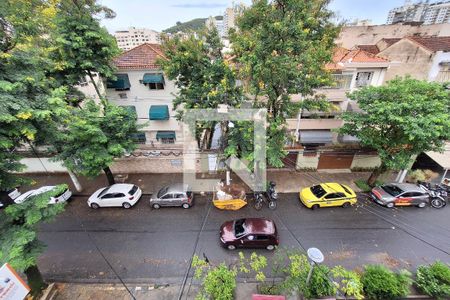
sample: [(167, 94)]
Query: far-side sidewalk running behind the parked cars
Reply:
[(287, 181)]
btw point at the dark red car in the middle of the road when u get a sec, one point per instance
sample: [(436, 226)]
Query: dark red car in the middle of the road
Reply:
[(249, 233)]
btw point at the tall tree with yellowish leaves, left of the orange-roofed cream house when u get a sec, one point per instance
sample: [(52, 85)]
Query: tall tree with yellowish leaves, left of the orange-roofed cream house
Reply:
[(281, 48)]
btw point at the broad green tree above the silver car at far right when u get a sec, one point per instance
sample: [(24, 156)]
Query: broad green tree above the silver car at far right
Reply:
[(401, 119)]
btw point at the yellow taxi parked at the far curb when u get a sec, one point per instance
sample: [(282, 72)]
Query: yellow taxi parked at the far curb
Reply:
[(327, 194)]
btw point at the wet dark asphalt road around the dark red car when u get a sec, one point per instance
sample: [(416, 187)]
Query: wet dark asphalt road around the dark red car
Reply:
[(146, 245)]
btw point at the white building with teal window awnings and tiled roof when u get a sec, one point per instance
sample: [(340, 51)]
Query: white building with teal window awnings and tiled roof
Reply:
[(142, 88)]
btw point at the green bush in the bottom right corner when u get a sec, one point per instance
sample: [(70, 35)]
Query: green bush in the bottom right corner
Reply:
[(434, 280)]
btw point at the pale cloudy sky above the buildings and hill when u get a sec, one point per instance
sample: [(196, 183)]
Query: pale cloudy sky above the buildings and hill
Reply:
[(162, 14)]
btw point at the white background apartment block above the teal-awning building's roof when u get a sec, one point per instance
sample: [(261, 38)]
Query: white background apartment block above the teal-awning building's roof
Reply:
[(133, 37)]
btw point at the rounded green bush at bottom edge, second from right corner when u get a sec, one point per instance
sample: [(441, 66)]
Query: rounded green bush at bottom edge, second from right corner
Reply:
[(381, 283)]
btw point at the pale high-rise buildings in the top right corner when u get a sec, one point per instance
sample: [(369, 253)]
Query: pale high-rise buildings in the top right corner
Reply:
[(422, 11)]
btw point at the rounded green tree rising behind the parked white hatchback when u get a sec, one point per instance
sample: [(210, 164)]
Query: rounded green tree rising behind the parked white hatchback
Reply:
[(93, 137)]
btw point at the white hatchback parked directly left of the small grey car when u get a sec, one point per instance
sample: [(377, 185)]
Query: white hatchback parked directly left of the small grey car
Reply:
[(119, 194)]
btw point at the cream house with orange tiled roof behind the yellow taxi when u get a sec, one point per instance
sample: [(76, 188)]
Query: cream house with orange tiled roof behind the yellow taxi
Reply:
[(315, 144)]
